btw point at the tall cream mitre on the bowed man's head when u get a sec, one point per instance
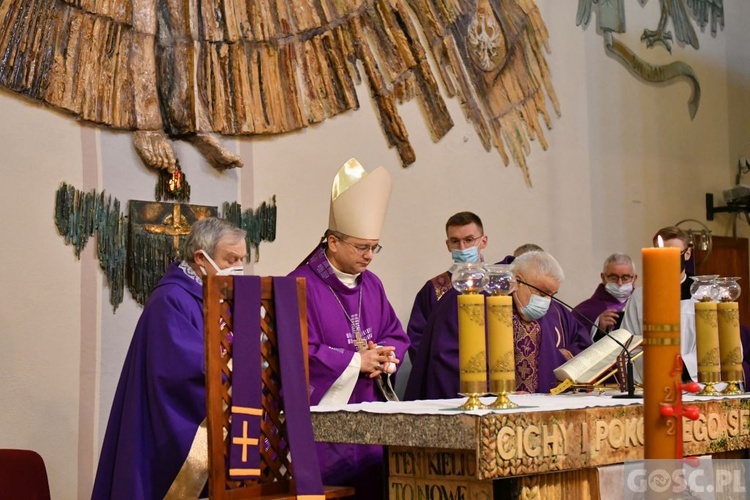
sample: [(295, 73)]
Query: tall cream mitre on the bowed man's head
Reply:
[(359, 201)]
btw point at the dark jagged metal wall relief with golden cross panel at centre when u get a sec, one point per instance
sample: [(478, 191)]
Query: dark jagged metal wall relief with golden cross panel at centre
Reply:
[(135, 250)]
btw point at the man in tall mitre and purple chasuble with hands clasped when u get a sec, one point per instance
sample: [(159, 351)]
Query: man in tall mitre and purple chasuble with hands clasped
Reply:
[(354, 336)]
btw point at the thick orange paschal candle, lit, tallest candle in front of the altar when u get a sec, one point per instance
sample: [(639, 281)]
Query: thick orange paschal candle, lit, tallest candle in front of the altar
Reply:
[(662, 369)]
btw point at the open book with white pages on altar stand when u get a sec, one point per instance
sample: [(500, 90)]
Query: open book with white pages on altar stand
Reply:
[(598, 360)]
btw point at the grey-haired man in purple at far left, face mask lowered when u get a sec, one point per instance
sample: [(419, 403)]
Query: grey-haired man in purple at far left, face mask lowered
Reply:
[(155, 443)]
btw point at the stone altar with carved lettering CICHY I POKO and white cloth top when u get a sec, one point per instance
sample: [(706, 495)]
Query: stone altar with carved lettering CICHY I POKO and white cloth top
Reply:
[(553, 446)]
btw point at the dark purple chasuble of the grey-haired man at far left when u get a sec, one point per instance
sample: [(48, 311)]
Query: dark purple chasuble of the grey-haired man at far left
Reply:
[(161, 396)]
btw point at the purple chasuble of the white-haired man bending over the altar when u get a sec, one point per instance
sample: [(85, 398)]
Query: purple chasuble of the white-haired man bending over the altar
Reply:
[(434, 373)]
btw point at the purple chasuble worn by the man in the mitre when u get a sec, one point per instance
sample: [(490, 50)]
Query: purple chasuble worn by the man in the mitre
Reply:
[(330, 304)]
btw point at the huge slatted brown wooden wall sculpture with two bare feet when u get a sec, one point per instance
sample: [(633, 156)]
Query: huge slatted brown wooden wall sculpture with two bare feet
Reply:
[(184, 70)]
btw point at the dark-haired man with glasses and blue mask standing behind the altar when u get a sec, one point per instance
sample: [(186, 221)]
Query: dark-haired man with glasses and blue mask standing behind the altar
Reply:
[(465, 240)]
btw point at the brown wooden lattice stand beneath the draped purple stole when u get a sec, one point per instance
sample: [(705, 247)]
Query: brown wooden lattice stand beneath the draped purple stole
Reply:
[(277, 471)]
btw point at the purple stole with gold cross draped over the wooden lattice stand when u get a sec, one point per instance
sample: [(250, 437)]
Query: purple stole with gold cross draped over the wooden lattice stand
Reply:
[(247, 385)]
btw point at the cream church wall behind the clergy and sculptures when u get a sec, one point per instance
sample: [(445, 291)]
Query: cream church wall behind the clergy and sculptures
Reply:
[(624, 159)]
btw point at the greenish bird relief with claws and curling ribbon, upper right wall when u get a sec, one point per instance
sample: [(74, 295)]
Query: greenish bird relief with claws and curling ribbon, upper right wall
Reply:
[(611, 20)]
